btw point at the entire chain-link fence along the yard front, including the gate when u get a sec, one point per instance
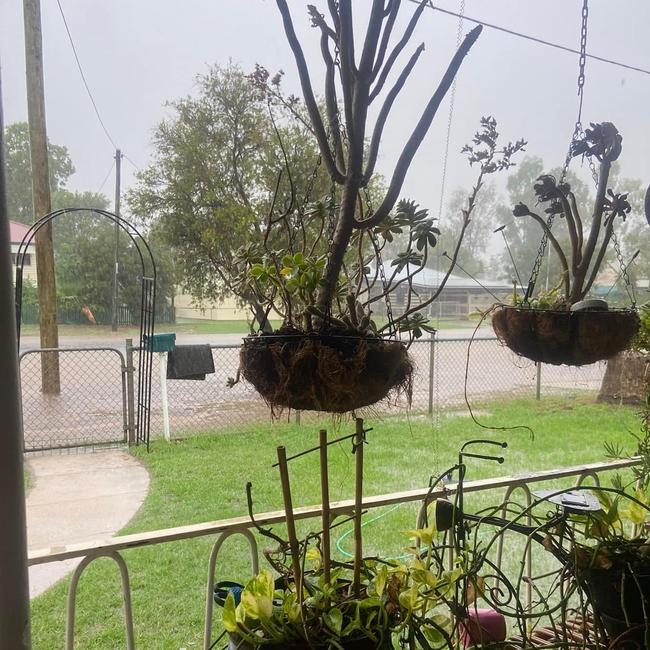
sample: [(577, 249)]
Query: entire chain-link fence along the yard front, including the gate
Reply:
[(96, 401)]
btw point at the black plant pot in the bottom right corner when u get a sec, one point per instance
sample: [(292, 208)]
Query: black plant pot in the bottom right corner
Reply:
[(618, 597)]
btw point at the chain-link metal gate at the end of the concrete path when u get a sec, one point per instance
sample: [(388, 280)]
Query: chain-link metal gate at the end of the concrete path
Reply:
[(92, 408)]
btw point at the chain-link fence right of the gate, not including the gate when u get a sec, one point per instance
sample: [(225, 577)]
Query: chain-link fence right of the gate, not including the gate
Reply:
[(493, 372)]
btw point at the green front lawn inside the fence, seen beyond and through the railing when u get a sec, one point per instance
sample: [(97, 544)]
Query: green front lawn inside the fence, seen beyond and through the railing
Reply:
[(203, 478)]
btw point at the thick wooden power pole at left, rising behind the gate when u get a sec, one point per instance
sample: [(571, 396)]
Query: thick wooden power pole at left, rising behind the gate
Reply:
[(41, 190)]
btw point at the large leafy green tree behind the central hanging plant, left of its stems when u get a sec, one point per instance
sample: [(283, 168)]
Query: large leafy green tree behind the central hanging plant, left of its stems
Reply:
[(215, 171)]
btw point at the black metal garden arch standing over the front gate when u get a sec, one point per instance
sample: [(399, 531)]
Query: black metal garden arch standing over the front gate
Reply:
[(147, 304)]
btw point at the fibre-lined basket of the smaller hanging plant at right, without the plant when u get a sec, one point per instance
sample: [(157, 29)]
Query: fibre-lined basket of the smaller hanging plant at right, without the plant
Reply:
[(574, 338)]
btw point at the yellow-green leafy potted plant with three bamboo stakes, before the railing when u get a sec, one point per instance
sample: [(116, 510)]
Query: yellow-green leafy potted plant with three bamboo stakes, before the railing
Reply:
[(370, 602)]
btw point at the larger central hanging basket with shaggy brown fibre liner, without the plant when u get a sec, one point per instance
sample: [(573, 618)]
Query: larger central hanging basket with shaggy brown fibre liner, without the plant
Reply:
[(325, 372)]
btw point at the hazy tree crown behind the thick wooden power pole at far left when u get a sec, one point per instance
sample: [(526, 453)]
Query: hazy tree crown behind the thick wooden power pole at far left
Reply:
[(19, 171)]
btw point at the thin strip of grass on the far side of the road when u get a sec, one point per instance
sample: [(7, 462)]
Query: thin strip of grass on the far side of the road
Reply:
[(192, 326)]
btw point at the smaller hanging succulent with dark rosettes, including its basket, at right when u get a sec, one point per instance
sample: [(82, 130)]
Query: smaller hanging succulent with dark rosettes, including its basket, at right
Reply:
[(561, 326)]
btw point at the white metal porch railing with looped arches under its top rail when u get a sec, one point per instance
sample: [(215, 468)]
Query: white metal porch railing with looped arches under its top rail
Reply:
[(225, 528)]
